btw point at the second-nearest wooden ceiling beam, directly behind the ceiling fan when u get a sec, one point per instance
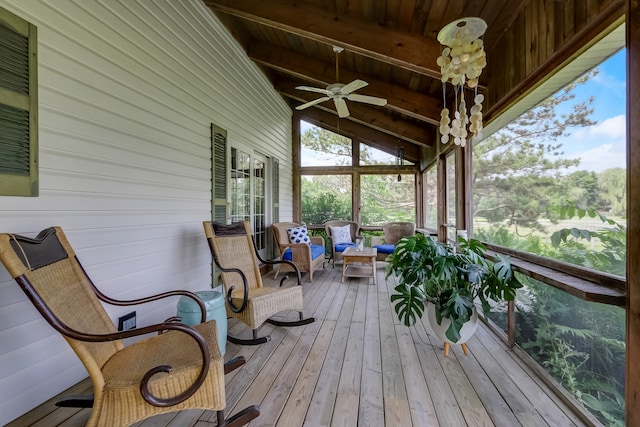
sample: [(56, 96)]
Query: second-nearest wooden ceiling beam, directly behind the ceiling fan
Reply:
[(400, 99)]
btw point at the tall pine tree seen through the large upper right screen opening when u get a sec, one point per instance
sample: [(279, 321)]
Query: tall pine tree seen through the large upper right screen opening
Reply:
[(516, 171)]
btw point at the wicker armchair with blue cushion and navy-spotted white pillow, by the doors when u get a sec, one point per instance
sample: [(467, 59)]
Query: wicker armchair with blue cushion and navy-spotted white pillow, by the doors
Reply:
[(308, 258)]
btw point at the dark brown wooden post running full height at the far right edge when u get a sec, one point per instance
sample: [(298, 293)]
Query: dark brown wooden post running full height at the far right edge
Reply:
[(632, 386)]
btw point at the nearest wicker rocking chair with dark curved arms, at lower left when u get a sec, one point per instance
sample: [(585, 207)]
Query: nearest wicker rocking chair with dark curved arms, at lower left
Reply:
[(130, 383)]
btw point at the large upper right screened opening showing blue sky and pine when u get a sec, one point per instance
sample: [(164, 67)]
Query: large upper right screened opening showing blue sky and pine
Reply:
[(553, 181)]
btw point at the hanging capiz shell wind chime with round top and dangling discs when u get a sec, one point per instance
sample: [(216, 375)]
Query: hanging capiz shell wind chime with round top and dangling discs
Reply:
[(461, 62)]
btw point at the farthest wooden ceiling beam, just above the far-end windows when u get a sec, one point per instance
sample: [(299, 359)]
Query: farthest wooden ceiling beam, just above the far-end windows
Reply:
[(372, 137)]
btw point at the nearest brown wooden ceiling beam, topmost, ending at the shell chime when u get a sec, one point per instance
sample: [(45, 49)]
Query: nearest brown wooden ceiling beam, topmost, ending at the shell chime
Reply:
[(409, 51)]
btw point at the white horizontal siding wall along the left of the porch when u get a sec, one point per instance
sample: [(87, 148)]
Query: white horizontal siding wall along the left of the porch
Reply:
[(128, 90)]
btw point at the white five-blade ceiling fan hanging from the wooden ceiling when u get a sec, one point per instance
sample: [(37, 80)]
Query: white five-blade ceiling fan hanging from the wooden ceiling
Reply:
[(339, 92)]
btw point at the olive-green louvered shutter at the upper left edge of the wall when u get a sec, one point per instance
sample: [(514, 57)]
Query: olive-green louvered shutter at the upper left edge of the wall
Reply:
[(18, 107)]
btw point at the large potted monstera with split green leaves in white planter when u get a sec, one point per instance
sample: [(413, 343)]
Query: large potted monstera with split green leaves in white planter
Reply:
[(447, 281)]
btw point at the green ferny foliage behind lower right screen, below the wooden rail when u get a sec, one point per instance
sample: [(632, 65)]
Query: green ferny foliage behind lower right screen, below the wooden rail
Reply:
[(581, 344)]
